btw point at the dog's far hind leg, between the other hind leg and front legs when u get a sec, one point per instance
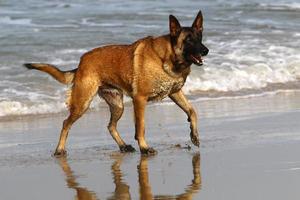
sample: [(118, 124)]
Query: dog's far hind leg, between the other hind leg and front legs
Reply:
[(114, 98)]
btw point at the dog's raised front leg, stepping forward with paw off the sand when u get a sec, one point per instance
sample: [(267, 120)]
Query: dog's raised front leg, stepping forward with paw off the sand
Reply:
[(180, 99)]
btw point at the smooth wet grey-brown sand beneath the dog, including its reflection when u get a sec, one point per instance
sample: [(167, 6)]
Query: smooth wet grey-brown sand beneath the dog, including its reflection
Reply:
[(249, 150)]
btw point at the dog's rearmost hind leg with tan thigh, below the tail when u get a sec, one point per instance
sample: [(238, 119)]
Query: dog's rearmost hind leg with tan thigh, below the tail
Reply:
[(83, 92)]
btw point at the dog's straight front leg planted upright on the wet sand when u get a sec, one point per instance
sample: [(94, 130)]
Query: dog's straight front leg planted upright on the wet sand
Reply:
[(139, 103)]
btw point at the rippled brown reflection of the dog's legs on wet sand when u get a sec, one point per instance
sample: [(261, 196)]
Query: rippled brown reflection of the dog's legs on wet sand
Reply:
[(122, 189)]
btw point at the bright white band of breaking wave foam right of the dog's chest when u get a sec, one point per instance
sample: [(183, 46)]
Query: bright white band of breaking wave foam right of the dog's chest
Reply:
[(234, 79)]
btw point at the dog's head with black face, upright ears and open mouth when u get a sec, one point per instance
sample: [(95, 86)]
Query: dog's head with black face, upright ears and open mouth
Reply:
[(187, 41)]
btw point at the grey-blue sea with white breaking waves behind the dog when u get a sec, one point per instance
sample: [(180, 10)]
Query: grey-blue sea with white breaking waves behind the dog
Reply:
[(254, 45)]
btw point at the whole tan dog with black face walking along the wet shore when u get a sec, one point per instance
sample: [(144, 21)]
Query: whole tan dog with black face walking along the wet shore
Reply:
[(151, 68)]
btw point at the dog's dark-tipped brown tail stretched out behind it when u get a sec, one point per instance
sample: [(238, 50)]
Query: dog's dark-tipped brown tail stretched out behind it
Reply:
[(64, 77)]
